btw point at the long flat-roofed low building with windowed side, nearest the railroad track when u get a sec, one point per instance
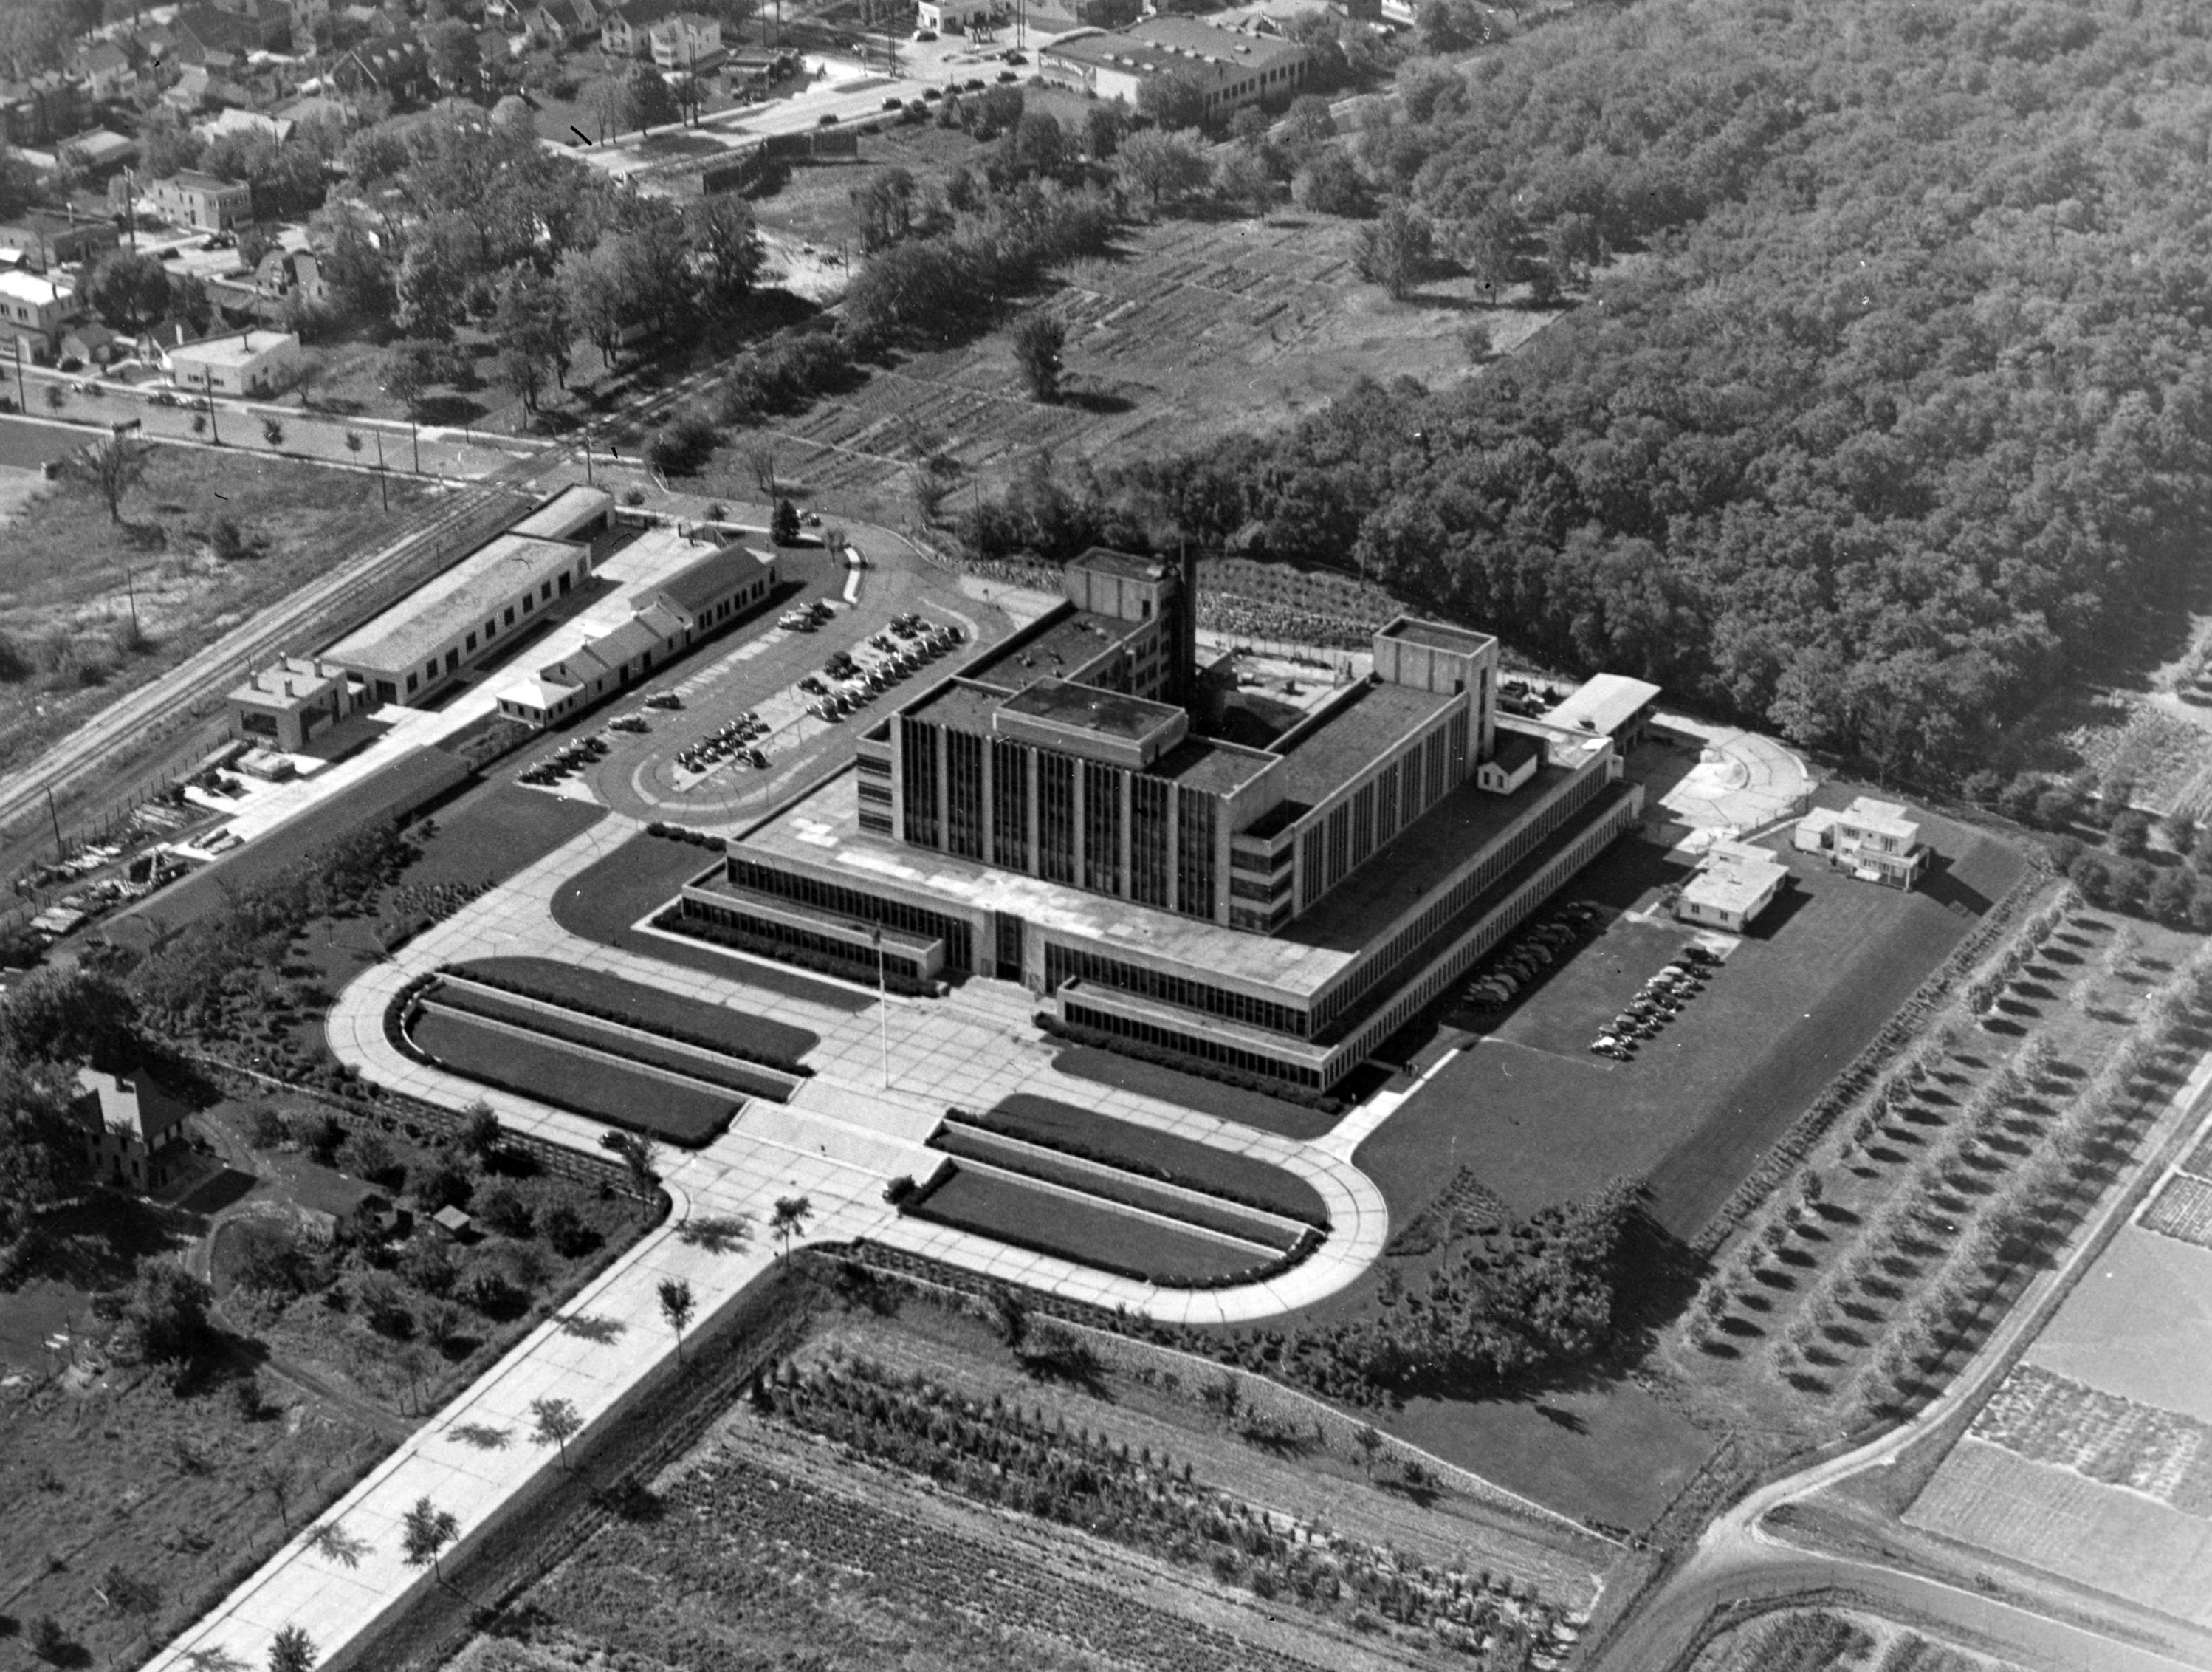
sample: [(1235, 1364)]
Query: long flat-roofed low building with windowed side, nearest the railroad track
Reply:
[(463, 616)]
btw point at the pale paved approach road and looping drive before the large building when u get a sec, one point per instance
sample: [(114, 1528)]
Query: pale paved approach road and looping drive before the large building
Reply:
[(837, 1142)]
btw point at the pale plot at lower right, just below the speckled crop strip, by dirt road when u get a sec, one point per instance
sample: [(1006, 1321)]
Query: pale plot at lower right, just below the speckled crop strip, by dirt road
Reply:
[(2074, 1527)]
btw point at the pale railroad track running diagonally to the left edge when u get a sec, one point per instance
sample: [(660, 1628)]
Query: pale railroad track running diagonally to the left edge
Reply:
[(426, 541)]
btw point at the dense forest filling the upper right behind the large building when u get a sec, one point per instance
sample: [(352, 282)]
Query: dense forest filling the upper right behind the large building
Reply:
[(1884, 397)]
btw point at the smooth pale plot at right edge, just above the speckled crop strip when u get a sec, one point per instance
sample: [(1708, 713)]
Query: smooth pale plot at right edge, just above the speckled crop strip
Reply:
[(2140, 1326)]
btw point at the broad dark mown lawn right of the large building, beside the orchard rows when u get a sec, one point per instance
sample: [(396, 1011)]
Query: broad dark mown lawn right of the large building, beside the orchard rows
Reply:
[(1538, 1118)]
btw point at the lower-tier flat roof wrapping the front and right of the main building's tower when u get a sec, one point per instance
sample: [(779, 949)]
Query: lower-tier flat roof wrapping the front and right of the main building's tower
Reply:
[(824, 833)]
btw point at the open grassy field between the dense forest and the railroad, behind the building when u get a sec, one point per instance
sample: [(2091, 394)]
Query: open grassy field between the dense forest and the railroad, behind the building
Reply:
[(1189, 331)]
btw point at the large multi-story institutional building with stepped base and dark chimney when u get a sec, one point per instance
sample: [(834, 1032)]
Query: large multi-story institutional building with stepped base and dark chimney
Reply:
[(1054, 817)]
